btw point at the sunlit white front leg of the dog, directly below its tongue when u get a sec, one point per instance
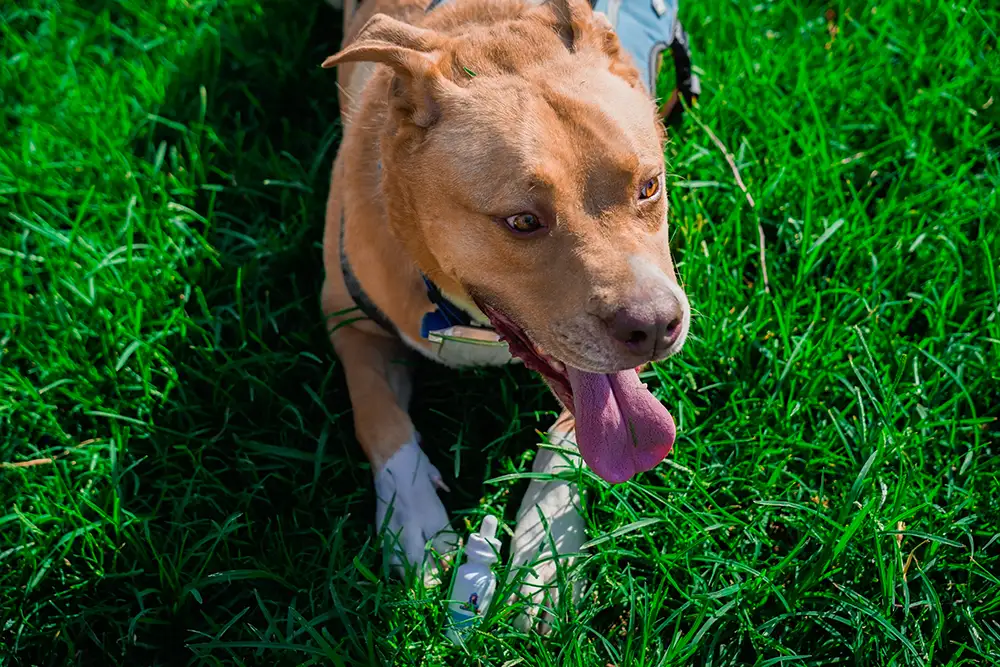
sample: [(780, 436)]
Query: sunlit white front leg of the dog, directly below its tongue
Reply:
[(542, 550)]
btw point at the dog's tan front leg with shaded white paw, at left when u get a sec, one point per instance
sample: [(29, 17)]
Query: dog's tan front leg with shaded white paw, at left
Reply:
[(406, 484)]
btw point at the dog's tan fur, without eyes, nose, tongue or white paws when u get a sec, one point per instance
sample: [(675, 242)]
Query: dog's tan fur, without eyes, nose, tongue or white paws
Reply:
[(456, 119)]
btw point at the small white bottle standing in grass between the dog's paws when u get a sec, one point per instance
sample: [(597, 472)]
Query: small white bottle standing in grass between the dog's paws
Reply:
[(475, 583)]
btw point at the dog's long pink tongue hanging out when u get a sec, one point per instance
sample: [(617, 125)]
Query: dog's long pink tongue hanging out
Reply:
[(620, 428)]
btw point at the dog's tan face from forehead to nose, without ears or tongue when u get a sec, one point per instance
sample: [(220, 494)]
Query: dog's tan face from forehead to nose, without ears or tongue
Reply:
[(545, 199)]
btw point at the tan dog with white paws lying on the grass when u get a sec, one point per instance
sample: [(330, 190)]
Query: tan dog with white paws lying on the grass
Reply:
[(499, 196)]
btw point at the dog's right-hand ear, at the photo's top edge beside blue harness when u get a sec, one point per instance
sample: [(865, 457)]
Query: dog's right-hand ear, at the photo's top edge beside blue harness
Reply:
[(580, 27)]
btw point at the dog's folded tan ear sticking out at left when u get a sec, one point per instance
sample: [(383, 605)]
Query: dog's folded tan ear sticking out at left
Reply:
[(415, 56)]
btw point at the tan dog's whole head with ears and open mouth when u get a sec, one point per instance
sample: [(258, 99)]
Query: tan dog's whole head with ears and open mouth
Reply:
[(523, 169)]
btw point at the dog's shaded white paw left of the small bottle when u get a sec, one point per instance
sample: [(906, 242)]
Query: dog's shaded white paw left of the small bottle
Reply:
[(408, 508)]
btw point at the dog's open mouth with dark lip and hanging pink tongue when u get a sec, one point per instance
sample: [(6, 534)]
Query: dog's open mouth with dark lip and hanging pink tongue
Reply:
[(621, 429)]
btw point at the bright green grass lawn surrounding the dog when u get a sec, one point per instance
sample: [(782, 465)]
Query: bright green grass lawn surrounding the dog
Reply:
[(196, 495)]
